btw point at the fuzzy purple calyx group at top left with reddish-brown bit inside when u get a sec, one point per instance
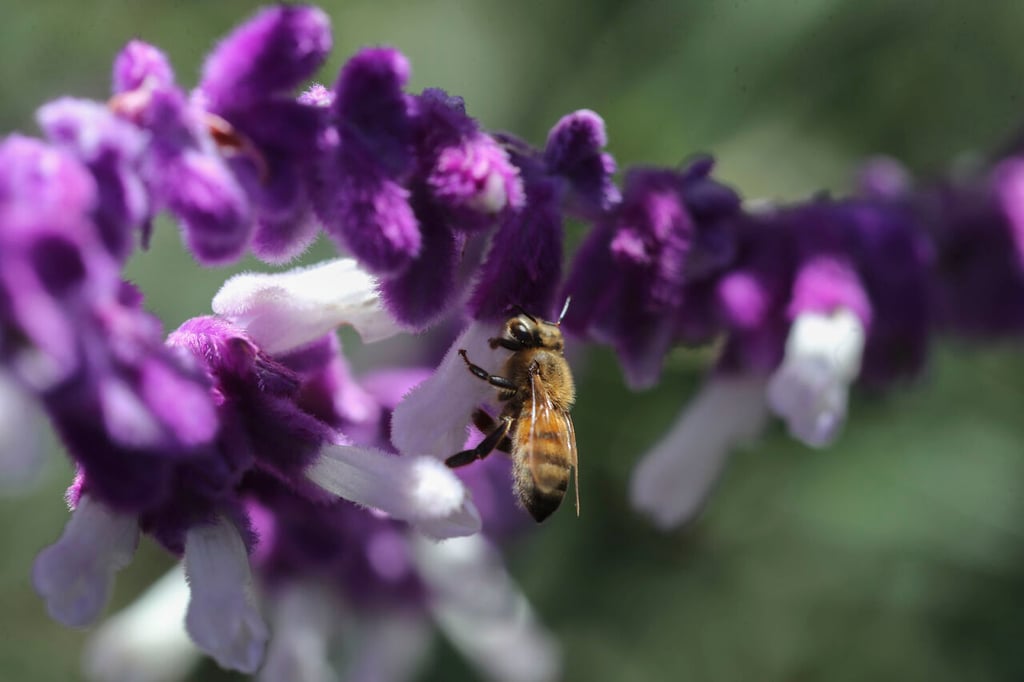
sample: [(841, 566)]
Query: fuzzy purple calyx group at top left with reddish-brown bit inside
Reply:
[(237, 161)]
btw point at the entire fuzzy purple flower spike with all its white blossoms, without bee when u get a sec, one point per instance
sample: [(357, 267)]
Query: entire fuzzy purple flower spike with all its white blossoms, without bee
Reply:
[(300, 497)]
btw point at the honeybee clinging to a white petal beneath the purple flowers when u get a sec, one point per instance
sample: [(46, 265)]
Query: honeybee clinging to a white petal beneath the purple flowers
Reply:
[(535, 425)]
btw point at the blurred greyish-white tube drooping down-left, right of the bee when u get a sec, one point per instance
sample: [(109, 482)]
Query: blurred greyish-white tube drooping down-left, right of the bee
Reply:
[(674, 478)]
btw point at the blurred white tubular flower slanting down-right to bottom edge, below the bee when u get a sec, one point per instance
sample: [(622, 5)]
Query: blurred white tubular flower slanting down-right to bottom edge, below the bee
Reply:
[(484, 614)]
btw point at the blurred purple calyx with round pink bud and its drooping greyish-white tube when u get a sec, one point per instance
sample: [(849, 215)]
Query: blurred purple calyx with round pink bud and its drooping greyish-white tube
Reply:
[(749, 301)]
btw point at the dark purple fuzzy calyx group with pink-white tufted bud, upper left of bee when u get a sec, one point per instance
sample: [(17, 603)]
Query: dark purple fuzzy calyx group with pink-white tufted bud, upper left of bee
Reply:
[(407, 184)]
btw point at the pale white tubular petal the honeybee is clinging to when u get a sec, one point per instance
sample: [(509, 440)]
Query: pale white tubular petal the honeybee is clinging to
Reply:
[(434, 418)]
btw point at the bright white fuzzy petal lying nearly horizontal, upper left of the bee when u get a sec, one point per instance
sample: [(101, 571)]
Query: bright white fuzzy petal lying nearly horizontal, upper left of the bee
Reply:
[(283, 312)]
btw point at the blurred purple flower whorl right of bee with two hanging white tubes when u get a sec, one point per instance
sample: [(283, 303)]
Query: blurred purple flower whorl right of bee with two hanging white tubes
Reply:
[(809, 301)]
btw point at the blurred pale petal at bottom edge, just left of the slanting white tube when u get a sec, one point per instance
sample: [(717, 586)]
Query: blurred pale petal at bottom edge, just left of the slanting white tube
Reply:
[(389, 647)]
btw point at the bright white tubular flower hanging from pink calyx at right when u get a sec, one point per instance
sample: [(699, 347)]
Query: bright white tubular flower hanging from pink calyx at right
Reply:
[(810, 390)]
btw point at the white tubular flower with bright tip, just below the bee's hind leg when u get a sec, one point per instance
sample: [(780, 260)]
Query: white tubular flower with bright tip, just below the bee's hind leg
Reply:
[(419, 490)]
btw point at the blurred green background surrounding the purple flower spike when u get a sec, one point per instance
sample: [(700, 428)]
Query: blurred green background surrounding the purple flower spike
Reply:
[(898, 555)]
